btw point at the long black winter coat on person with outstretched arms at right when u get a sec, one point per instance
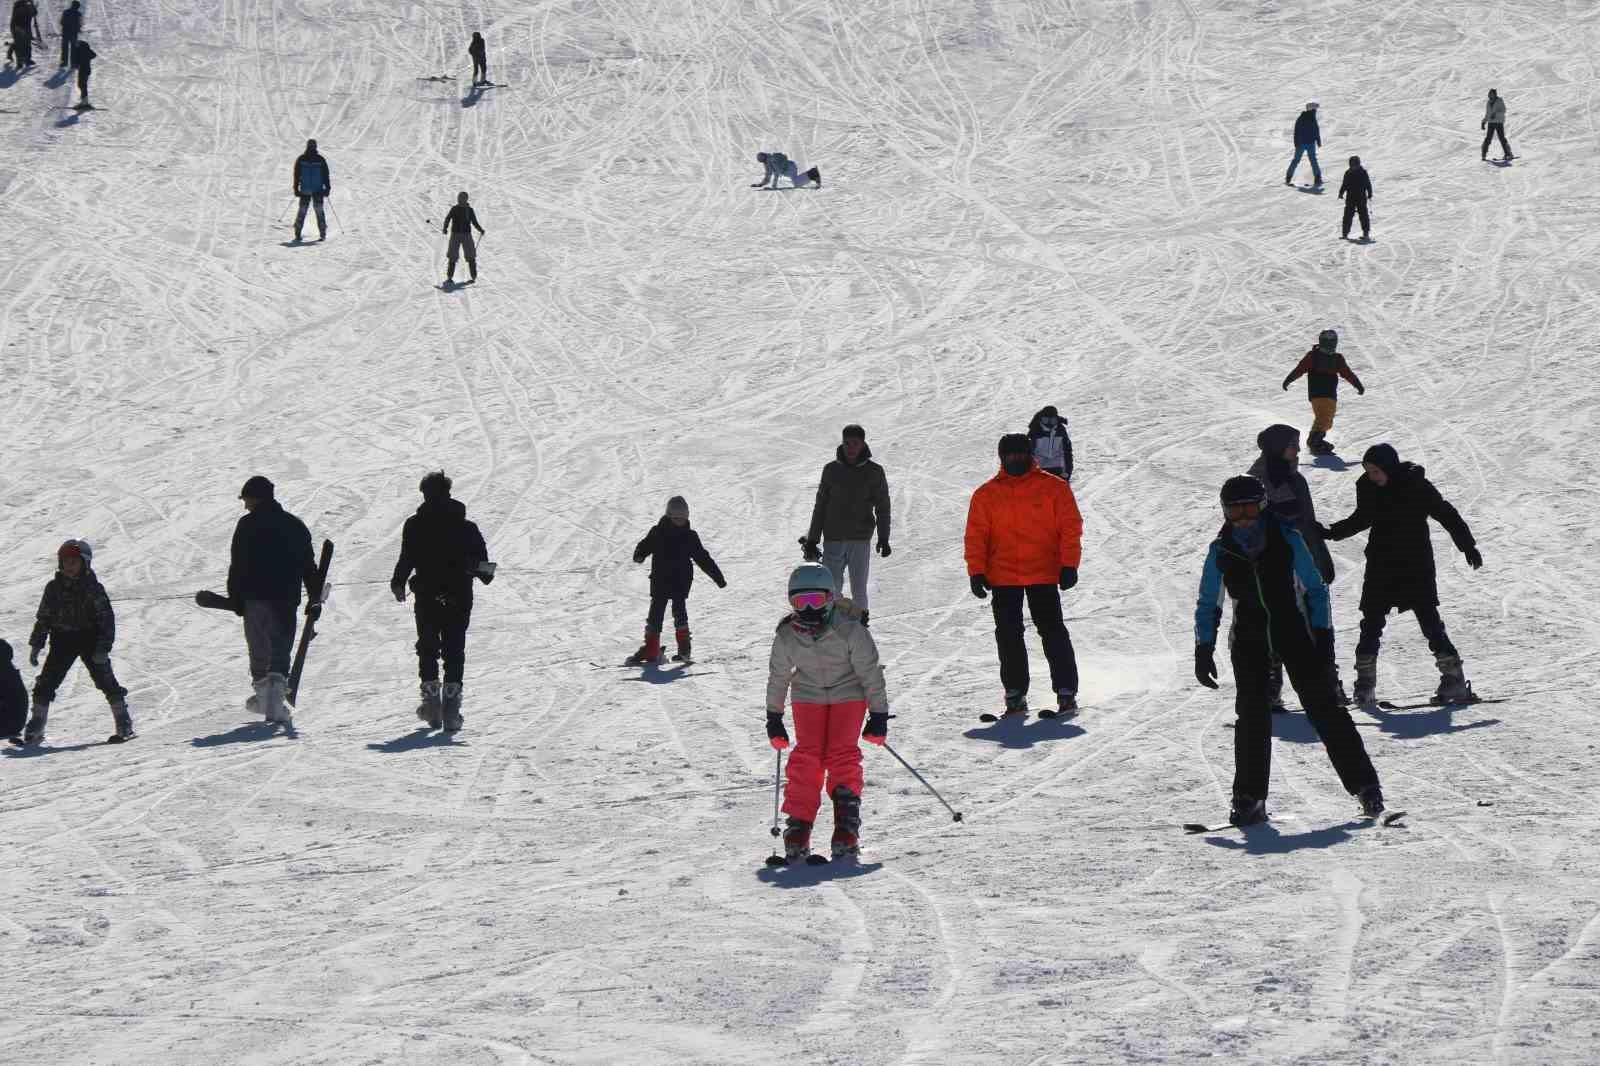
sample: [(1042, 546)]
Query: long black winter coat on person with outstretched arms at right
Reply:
[(1399, 551)]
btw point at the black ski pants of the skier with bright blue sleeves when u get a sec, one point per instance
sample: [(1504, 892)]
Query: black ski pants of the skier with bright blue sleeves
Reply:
[(1313, 679)]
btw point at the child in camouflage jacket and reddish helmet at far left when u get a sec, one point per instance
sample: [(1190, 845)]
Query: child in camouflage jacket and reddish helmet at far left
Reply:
[(78, 620)]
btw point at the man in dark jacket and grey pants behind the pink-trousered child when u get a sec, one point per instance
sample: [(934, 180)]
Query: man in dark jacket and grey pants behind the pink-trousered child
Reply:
[(852, 500)]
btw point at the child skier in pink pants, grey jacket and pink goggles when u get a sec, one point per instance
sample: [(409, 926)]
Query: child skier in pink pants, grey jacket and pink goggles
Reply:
[(826, 662)]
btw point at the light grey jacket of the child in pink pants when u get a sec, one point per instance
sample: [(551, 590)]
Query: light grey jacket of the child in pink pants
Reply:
[(841, 663)]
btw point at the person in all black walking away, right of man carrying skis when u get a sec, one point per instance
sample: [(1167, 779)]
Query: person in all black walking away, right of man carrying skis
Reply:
[(441, 555)]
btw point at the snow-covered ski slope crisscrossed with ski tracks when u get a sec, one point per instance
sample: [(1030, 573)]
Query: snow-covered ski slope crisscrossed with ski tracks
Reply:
[(1026, 202)]
